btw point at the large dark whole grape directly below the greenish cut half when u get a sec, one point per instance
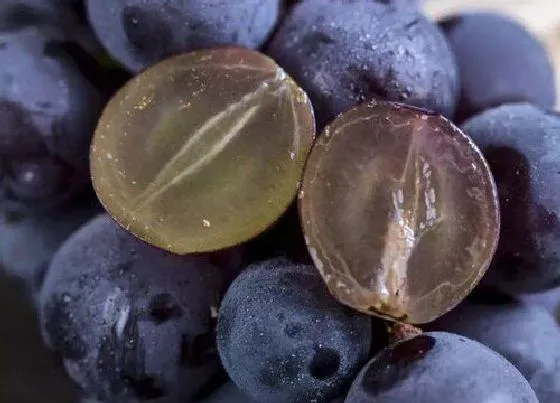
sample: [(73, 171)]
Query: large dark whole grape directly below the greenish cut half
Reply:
[(131, 322)]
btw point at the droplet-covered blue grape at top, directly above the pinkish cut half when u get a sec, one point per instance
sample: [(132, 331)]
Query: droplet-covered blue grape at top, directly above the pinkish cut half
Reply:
[(344, 52)]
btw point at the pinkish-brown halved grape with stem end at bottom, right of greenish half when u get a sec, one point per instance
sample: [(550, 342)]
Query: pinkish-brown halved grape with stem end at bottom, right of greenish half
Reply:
[(399, 210)]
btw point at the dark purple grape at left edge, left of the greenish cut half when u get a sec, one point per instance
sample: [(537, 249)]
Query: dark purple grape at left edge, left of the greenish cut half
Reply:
[(48, 110)]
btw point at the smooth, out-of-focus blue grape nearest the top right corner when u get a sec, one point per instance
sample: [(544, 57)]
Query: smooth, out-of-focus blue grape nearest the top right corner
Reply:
[(499, 62)]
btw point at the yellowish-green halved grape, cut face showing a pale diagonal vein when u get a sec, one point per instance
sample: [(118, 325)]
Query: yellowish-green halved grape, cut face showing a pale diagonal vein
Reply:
[(204, 150)]
